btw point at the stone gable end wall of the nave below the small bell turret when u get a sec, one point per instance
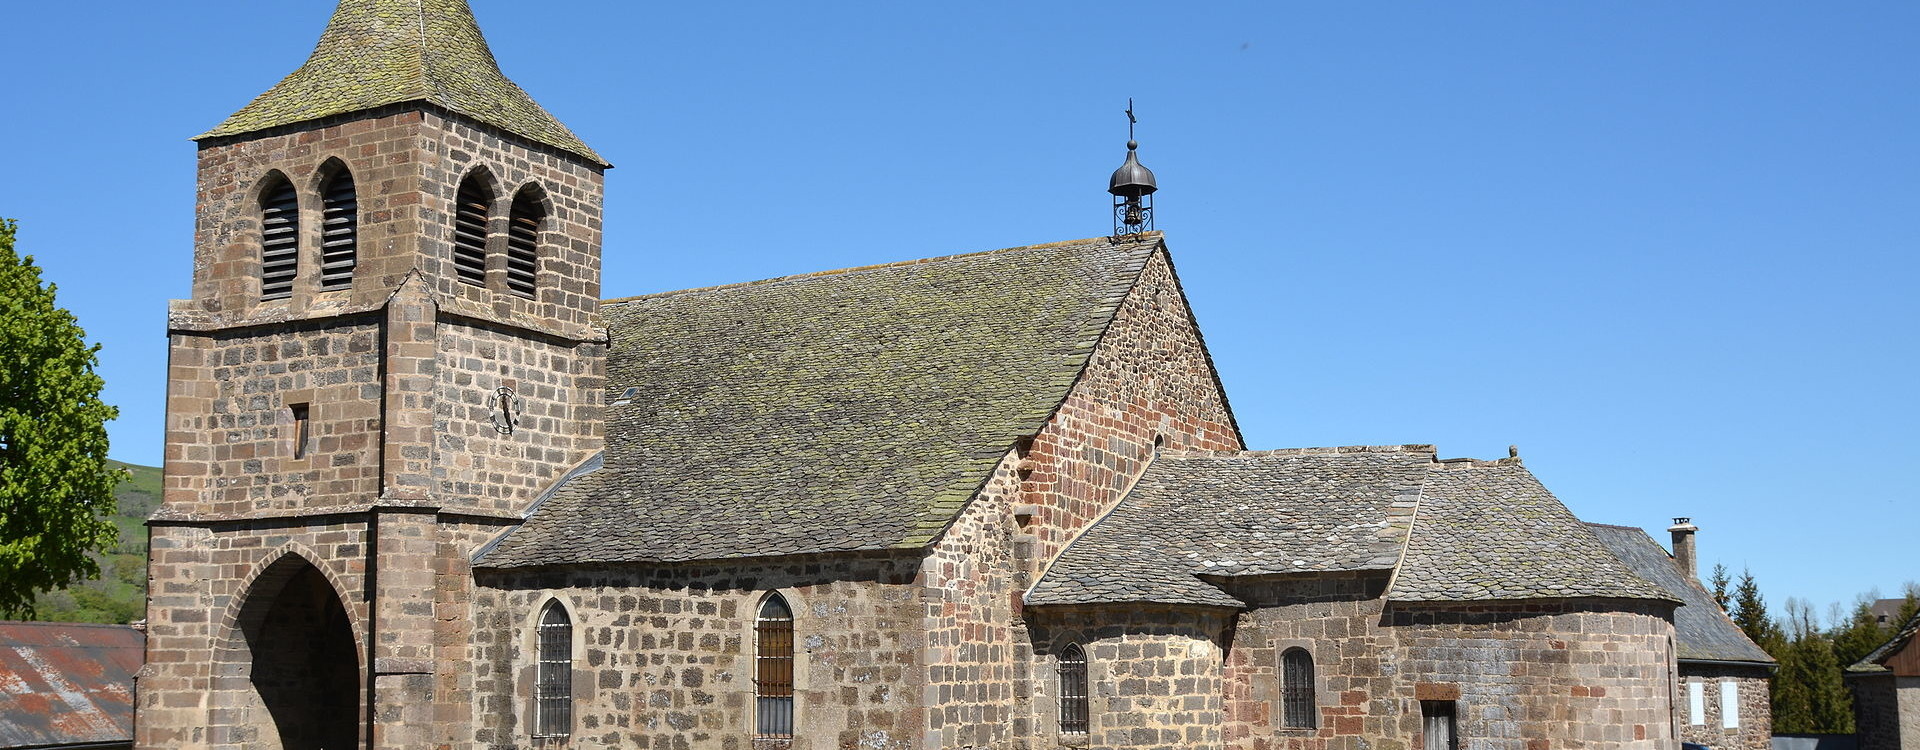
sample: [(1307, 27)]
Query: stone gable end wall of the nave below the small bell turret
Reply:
[(1147, 379)]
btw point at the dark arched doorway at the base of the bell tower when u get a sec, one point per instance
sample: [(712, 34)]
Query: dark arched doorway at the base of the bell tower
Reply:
[(295, 665)]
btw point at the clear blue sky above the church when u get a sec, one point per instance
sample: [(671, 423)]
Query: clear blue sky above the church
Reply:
[(1669, 250)]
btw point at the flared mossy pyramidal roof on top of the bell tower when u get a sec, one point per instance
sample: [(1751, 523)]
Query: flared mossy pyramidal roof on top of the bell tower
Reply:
[(379, 53)]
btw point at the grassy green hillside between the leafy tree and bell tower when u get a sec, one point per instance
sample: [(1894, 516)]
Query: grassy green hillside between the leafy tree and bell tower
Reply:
[(120, 594)]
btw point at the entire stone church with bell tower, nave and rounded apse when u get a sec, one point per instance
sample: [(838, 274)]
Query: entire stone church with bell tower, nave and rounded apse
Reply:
[(425, 488)]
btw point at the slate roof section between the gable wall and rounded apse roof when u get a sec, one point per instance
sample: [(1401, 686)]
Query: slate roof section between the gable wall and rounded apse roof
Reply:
[(1255, 513)]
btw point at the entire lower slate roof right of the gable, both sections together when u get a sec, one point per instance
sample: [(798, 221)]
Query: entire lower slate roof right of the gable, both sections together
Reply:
[(1451, 532)]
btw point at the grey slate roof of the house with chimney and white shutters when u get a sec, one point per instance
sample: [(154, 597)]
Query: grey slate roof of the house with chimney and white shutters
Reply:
[(1702, 630)]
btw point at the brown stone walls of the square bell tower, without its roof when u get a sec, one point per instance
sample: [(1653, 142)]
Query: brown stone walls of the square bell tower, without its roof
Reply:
[(435, 411)]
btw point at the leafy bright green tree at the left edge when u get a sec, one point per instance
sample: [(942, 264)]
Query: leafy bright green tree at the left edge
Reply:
[(57, 486)]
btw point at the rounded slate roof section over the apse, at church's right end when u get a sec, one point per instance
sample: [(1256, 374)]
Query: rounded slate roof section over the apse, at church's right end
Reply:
[(1487, 530)]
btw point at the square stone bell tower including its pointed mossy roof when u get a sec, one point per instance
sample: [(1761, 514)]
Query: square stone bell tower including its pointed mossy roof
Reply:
[(391, 350)]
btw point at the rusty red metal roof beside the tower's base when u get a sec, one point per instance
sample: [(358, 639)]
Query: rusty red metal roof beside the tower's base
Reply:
[(66, 684)]
